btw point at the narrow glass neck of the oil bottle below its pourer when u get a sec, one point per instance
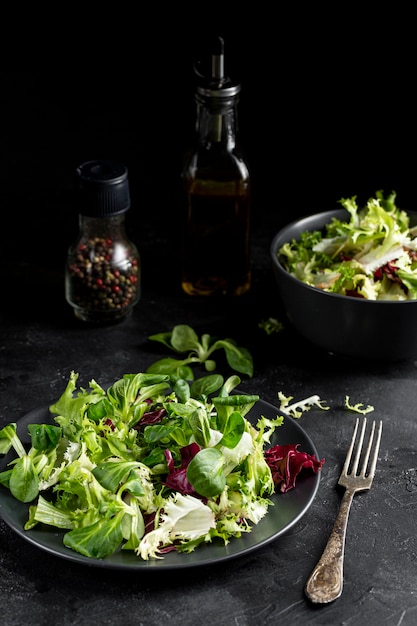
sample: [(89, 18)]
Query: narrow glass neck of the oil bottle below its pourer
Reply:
[(216, 122)]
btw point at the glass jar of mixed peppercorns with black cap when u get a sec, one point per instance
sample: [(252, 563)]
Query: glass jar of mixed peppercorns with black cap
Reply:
[(102, 276)]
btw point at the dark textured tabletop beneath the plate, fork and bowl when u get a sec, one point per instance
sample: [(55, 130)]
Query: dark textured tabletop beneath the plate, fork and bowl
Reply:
[(41, 343)]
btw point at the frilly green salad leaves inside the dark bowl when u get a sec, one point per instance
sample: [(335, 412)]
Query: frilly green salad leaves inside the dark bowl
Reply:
[(372, 255)]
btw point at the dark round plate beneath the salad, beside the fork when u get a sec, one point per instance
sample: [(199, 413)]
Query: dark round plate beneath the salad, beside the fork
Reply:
[(288, 509)]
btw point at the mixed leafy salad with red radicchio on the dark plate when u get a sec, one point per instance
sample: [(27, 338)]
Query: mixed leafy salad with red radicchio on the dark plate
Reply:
[(150, 466)]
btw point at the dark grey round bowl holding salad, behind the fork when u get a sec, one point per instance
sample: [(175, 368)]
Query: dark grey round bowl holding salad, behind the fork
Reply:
[(344, 325)]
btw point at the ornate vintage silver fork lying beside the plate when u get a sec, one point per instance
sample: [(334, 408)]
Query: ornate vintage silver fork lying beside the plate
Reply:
[(325, 583)]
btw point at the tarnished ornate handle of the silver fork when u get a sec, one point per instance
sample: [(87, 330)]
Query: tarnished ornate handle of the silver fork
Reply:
[(325, 583)]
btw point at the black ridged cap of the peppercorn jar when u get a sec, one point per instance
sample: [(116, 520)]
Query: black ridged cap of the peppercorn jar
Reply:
[(104, 188)]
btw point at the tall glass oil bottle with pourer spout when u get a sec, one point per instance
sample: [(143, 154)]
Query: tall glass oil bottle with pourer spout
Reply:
[(216, 248)]
